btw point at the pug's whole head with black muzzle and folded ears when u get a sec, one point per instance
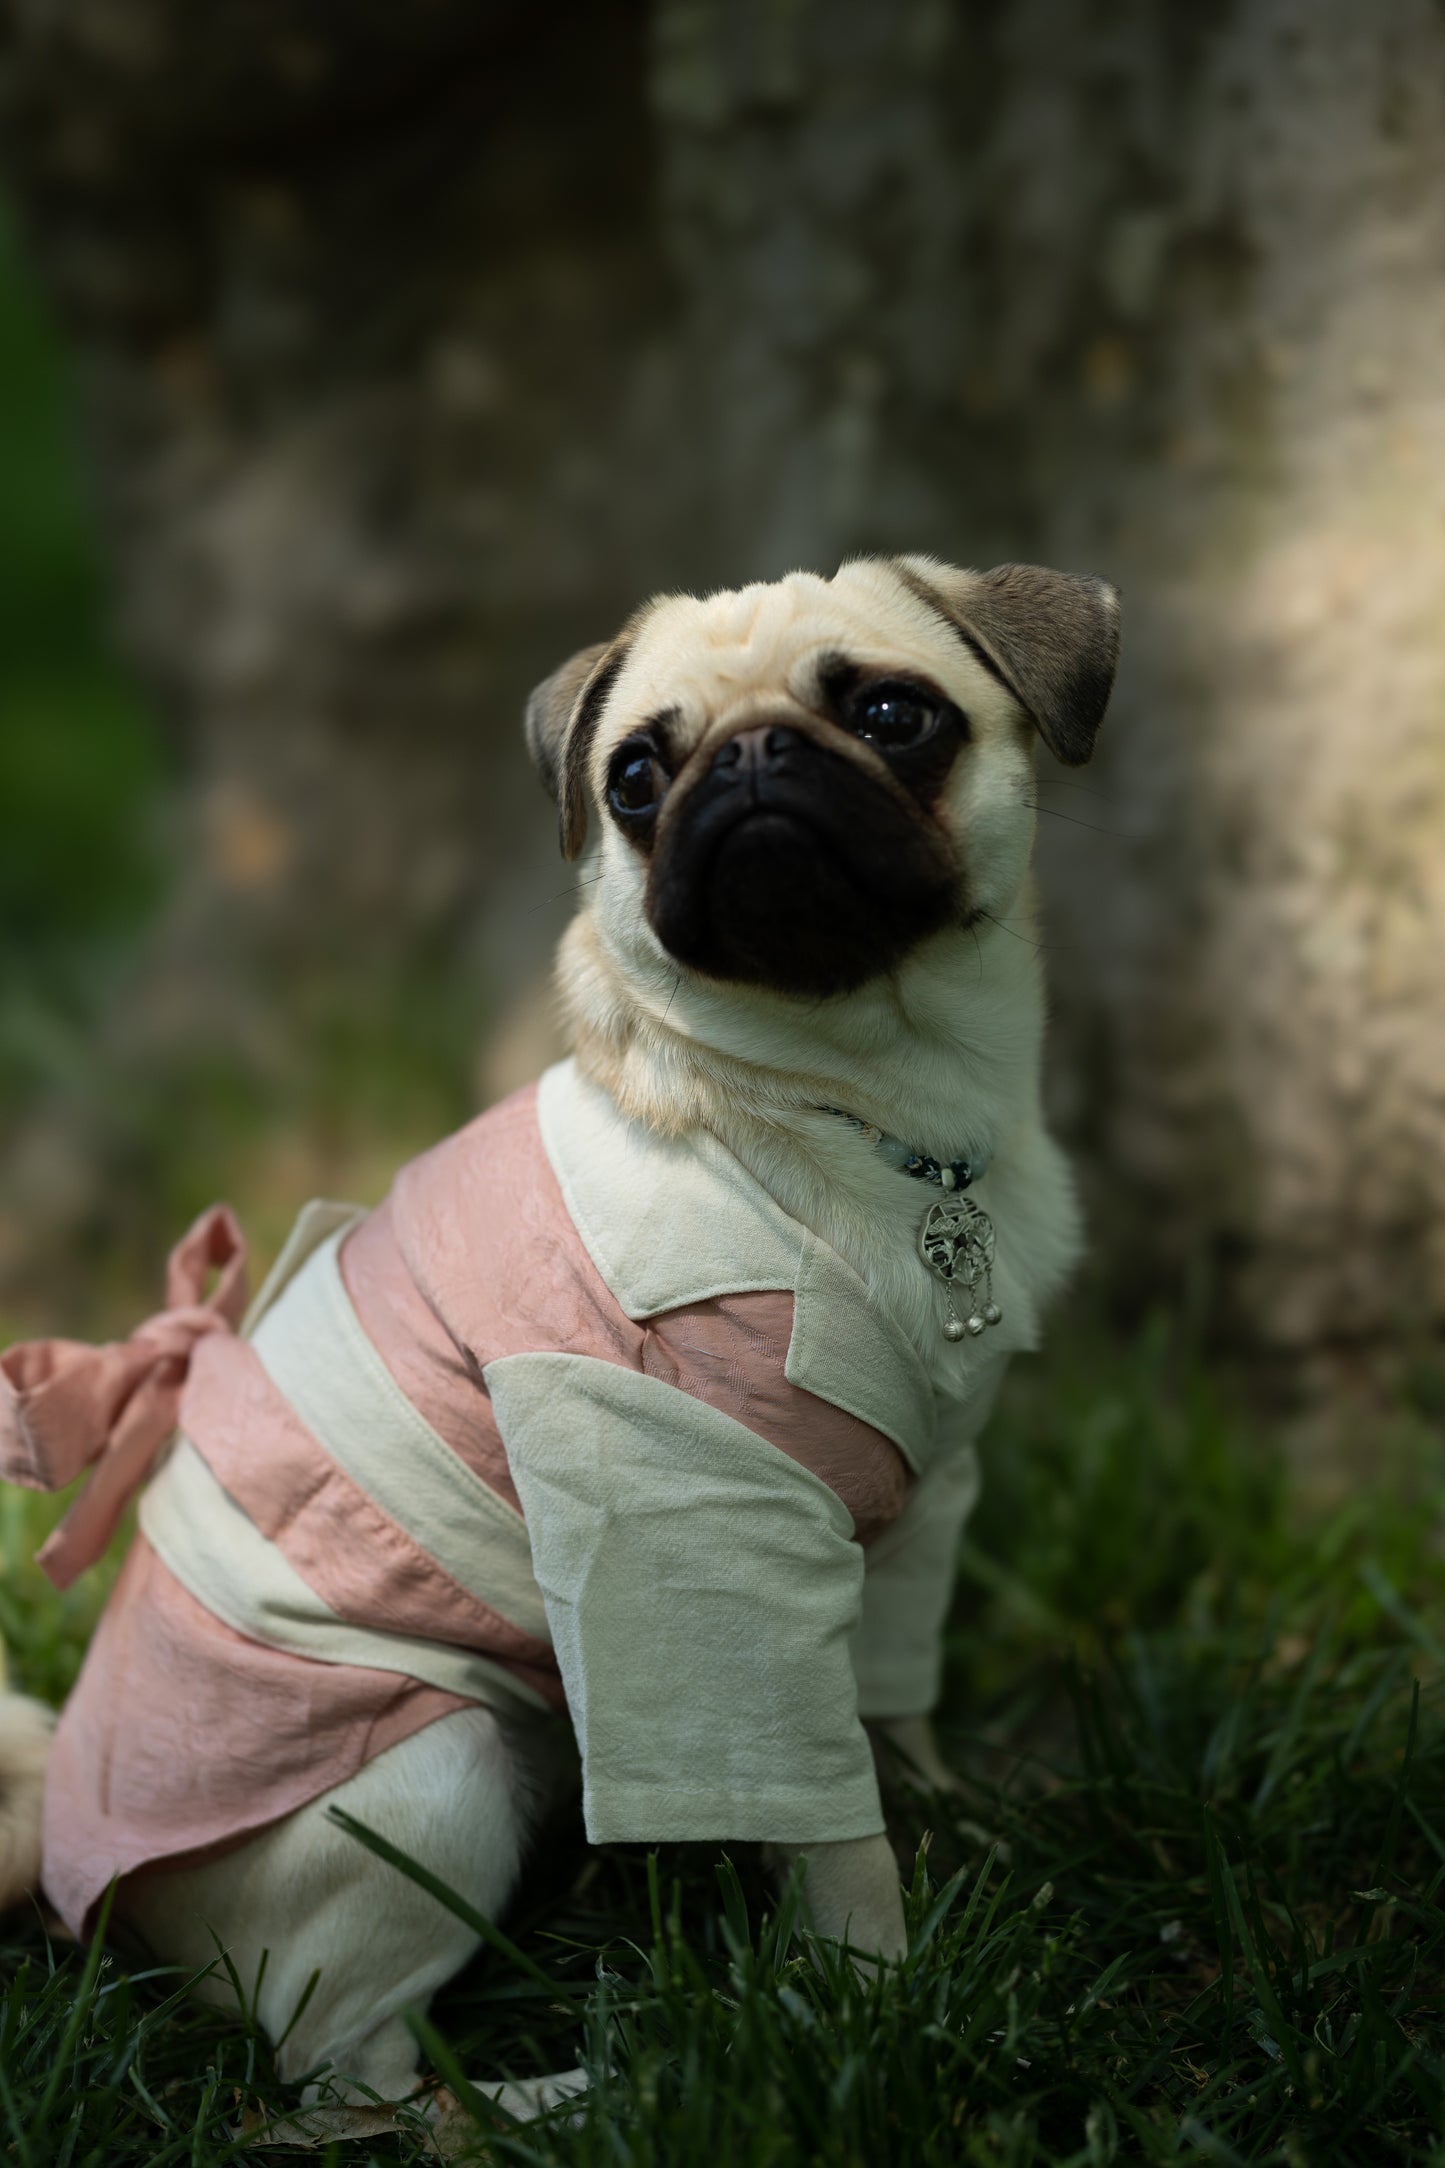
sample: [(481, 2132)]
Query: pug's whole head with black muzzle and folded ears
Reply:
[(803, 782)]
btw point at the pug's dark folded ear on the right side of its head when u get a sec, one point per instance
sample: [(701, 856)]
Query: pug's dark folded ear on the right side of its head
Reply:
[(1050, 636)]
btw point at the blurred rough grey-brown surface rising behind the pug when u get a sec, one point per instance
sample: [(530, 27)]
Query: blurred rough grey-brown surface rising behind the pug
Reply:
[(417, 344)]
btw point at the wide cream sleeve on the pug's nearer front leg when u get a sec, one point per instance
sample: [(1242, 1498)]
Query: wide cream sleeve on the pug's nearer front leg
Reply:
[(703, 1592)]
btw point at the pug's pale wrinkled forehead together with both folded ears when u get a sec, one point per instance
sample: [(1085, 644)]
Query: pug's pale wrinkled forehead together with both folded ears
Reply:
[(1047, 641)]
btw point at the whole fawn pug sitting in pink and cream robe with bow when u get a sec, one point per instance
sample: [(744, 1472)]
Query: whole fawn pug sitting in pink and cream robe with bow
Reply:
[(645, 1410)]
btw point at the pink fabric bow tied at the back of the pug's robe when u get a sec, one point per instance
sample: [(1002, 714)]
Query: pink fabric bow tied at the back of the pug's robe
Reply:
[(66, 1406)]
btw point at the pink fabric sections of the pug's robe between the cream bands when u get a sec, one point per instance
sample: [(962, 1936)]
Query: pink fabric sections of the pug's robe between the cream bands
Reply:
[(183, 1733)]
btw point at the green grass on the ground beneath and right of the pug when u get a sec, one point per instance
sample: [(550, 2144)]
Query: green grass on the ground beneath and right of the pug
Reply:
[(1206, 1922)]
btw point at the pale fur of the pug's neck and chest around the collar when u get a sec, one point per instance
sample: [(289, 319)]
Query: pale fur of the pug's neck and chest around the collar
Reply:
[(943, 1053)]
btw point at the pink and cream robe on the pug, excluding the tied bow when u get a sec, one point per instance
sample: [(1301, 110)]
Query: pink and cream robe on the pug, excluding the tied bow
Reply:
[(575, 1419)]
